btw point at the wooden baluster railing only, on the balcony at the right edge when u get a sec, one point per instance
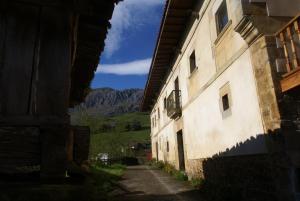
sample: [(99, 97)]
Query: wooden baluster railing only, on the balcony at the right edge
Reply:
[(289, 40)]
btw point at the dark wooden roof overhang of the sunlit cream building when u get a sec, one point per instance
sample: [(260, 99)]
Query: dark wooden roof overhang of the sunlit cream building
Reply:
[(176, 16)]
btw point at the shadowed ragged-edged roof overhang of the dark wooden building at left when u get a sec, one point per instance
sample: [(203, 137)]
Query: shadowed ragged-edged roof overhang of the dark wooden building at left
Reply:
[(93, 25)]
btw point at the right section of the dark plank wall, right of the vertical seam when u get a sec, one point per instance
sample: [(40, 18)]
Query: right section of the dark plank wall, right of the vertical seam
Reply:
[(54, 69)]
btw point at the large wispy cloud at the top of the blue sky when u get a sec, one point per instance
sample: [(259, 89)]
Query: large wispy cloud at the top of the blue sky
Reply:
[(130, 14)]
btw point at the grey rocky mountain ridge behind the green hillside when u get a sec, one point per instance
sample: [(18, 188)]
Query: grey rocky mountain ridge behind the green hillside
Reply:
[(107, 101)]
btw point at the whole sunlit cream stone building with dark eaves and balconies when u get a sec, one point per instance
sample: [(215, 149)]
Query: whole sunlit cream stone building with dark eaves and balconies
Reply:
[(224, 92)]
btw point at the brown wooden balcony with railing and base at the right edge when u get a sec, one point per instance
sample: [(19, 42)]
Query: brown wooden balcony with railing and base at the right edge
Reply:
[(288, 39)]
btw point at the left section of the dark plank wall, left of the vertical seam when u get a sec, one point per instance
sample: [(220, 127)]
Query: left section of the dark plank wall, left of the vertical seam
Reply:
[(17, 58)]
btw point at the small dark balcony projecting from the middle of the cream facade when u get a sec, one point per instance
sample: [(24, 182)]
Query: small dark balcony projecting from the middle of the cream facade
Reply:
[(174, 104)]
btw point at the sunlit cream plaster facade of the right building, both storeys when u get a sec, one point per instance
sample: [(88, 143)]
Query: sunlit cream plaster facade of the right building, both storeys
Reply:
[(205, 132)]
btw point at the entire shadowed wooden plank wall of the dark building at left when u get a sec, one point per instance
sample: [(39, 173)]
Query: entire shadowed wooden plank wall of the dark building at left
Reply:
[(35, 61)]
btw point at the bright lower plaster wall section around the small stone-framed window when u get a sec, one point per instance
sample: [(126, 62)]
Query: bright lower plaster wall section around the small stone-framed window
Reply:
[(207, 133)]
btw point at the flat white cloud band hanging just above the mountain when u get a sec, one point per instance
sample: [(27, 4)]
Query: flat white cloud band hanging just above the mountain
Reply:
[(138, 67)]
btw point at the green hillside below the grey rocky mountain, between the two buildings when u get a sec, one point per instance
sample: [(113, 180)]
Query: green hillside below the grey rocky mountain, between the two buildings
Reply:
[(115, 135)]
